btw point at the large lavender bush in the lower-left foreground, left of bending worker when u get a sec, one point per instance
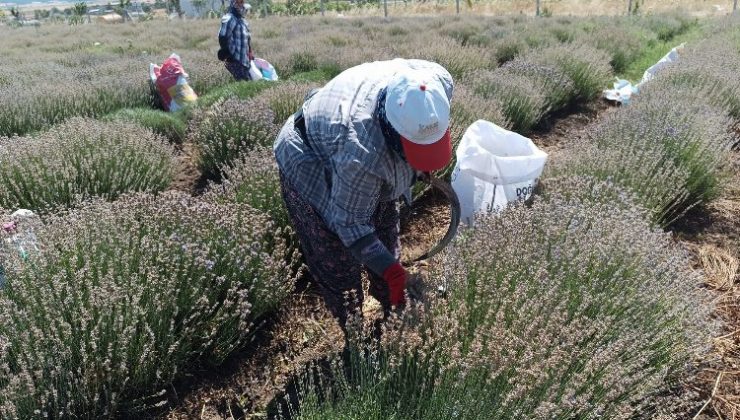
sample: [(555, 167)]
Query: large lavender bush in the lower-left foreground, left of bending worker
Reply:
[(127, 297)]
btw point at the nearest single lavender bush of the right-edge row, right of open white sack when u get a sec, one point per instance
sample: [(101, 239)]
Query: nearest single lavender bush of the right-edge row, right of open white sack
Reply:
[(672, 155)]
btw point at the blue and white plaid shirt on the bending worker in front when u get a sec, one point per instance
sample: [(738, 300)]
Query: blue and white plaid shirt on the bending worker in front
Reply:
[(347, 168)]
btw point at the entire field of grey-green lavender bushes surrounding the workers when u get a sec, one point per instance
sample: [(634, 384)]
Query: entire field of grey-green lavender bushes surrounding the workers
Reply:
[(164, 245)]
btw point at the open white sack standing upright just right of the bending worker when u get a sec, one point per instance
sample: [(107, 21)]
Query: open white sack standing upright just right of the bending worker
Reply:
[(494, 167)]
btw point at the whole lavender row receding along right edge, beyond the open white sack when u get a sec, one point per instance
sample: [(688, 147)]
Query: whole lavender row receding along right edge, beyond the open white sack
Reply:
[(670, 146)]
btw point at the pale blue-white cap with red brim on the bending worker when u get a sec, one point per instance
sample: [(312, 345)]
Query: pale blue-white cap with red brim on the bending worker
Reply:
[(417, 107)]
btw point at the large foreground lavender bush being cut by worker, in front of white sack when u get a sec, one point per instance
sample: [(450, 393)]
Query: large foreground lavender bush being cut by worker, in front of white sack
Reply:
[(568, 309)]
